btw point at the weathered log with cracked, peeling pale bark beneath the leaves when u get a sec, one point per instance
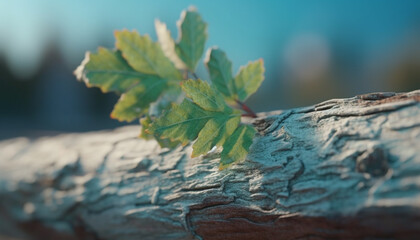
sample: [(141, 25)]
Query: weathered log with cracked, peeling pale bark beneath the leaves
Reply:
[(345, 168)]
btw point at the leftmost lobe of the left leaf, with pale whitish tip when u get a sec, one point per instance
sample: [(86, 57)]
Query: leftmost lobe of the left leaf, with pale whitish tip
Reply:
[(107, 70)]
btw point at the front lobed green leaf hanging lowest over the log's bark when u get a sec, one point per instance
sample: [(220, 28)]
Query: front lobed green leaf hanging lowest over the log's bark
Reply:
[(208, 120)]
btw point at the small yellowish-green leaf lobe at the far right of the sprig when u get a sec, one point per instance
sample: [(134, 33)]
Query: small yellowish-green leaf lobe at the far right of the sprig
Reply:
[(249, 79)]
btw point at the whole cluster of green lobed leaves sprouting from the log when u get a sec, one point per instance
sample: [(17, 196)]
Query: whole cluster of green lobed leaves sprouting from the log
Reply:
[(152, 80)]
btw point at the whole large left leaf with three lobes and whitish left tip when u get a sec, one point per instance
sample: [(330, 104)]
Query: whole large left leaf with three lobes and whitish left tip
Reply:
[(146, 77)]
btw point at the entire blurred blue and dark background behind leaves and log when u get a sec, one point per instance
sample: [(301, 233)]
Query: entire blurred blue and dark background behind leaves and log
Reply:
[(312, 50)]
